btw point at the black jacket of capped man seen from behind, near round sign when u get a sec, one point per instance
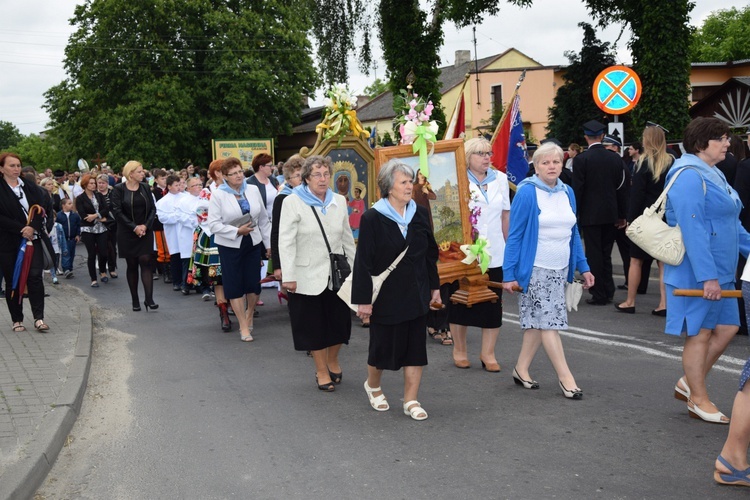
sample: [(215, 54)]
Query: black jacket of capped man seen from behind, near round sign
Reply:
[(600, 182)]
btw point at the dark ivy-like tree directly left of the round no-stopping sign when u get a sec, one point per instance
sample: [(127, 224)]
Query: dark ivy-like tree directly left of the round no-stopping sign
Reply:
[(573, 104)]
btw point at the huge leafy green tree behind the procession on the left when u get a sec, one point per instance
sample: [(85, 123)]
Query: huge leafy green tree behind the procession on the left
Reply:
[(156, 80)]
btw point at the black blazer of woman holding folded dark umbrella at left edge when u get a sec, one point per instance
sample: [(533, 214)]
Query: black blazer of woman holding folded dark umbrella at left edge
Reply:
[(13, 218)]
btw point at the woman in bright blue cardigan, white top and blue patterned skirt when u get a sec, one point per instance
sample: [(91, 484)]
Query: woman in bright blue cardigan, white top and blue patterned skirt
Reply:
[(543, 251)]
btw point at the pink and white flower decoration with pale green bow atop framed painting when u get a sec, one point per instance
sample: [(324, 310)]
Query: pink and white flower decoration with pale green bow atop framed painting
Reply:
[(415, 126)]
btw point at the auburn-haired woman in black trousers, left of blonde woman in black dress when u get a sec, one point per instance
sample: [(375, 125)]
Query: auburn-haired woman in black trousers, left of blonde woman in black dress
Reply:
[(93, 209)]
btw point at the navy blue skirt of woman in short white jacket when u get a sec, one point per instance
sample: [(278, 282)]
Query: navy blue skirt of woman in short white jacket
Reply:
[(240, 268)]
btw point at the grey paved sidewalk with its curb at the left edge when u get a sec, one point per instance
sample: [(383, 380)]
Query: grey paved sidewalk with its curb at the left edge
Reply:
[(42, 381)]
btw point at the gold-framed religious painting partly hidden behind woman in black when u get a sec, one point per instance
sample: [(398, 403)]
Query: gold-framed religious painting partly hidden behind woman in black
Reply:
[(444, 192)]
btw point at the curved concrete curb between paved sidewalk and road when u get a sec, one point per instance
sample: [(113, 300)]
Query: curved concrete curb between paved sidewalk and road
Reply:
[(22, 479)]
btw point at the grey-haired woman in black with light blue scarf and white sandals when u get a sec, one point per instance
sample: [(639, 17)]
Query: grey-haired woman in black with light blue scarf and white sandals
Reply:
[(398, 318)]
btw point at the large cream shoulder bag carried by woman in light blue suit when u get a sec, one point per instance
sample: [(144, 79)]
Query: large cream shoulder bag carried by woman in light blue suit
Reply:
[(657, 238)]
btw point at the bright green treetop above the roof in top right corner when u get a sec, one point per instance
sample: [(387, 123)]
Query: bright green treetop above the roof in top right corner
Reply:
[(724, 36)]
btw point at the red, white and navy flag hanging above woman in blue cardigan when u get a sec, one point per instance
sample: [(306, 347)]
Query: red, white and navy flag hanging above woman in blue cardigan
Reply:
[(509, 145)]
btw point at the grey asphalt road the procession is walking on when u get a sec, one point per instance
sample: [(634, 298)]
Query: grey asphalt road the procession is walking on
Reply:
[(178, 409)]
